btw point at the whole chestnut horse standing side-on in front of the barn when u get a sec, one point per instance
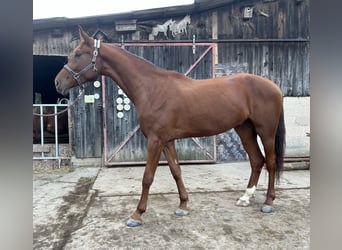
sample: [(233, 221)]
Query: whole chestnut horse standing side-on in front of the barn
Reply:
[(170, 105)]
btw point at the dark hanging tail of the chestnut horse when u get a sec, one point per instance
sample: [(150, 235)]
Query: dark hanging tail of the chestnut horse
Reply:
[(280, 145)]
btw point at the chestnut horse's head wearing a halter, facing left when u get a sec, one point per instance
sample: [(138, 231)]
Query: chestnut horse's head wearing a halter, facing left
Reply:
[(81, 66)]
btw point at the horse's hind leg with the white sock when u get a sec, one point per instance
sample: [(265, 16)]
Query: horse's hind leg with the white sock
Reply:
[(248, 137)]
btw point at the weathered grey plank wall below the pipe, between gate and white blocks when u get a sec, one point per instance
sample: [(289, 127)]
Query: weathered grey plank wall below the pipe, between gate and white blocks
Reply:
[(287, 64)]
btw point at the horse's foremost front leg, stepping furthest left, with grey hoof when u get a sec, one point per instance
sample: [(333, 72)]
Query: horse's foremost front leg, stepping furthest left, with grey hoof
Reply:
[(154, 149)]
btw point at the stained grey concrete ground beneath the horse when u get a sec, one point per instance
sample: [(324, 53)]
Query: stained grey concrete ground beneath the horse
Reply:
[(88, 209)]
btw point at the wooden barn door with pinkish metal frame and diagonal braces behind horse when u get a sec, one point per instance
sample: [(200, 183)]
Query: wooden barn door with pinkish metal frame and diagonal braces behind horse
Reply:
[(124, 143)]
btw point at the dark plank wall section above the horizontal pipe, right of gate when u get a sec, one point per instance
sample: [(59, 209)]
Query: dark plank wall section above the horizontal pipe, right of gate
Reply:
[(270, 19)]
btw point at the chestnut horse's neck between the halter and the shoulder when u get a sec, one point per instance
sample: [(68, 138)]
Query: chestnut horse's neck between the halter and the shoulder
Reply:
[(135, 76)]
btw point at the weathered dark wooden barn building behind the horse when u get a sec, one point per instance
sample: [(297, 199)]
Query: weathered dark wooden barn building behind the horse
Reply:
[(206, 39)]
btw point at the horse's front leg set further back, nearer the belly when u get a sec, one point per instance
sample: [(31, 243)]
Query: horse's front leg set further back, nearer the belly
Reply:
[(171, 157)]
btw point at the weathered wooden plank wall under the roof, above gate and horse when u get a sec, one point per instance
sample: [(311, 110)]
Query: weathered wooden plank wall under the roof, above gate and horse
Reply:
[(274, 42)]
